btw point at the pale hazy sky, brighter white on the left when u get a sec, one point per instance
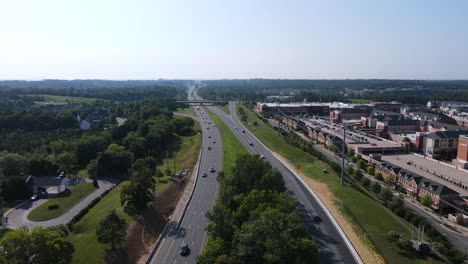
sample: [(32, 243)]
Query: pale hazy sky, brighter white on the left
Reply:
[(138, 39)]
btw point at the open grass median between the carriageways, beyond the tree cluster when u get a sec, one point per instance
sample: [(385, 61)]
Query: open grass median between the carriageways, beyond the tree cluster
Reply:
[(232, 148)]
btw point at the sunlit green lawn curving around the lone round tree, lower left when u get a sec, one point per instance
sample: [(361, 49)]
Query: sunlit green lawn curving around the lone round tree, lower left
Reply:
[(83, 237)]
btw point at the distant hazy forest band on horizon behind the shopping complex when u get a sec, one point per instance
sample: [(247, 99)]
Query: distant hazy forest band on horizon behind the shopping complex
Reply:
[(406, 91)]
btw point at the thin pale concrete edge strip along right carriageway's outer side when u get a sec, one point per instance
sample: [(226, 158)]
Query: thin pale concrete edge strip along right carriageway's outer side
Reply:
[(350, 246)]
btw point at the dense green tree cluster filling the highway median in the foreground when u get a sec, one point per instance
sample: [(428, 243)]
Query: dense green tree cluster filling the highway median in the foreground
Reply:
[(255, 220)]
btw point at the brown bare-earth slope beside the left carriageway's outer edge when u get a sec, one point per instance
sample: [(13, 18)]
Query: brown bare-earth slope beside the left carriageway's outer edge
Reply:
[(144, 232)]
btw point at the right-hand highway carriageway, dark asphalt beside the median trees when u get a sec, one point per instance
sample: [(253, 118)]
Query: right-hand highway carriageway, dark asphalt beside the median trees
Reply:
[(331, 246)]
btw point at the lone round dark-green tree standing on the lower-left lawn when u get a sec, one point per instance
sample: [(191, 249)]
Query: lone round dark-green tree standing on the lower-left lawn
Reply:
[(112, 230)]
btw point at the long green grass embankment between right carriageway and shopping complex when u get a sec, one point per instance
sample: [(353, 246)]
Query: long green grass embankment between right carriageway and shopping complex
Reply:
[(374, 219)]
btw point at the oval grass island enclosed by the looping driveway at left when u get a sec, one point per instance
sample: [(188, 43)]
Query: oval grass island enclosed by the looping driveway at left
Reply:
[(66, 200)]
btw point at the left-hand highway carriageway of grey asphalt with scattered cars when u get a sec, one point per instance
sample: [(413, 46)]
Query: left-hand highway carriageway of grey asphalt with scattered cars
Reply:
[(193, 226)]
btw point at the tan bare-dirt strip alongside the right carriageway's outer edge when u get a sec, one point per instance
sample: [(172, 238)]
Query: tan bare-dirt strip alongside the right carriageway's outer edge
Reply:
[(321, 189)]
